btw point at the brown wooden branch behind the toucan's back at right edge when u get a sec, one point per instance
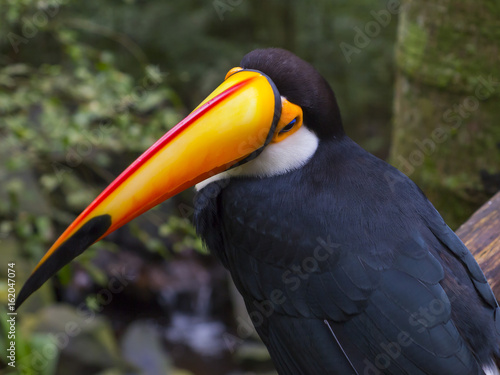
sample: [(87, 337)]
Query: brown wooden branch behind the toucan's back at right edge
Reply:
[(481, 234)]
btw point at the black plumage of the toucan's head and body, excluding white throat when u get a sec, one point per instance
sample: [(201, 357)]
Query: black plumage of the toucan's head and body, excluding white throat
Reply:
[(344, 265)]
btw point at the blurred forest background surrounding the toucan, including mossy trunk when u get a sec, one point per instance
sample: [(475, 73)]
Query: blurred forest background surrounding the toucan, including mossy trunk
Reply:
[(85, 87)]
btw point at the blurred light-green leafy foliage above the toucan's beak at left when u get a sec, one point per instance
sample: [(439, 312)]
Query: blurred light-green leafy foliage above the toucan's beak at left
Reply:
[(64, 123)]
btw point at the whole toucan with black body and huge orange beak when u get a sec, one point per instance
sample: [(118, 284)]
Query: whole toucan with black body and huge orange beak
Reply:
[(344, 265)]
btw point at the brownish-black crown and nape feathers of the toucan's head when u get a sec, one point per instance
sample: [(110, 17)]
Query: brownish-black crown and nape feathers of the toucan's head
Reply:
[(301, 84)]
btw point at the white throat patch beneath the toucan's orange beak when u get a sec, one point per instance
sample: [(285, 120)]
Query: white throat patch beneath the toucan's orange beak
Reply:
[(277, 158)]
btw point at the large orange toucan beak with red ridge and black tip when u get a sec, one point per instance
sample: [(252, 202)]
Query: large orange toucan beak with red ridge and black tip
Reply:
[(230, 126)]
